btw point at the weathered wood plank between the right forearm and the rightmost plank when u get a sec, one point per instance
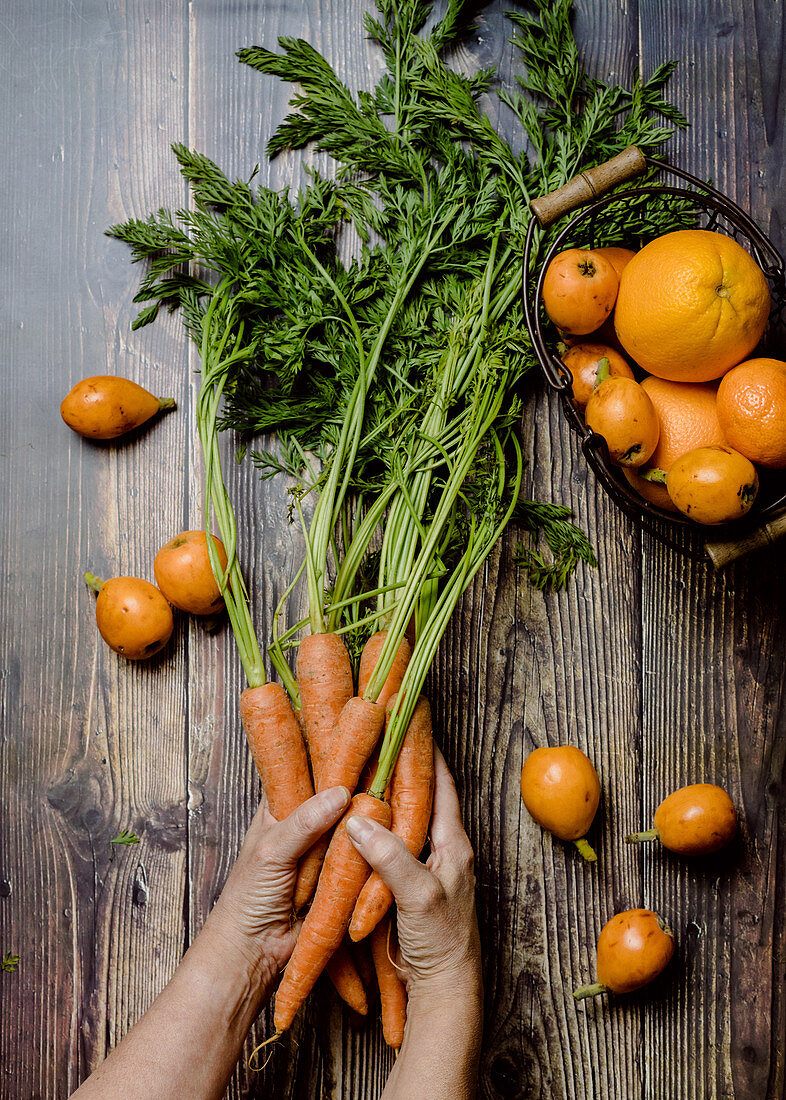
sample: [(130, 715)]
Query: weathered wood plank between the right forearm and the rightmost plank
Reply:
[(546, 670)]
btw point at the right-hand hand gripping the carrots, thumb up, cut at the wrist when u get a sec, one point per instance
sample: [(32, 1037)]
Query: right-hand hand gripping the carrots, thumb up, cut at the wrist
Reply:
[(438, 930)]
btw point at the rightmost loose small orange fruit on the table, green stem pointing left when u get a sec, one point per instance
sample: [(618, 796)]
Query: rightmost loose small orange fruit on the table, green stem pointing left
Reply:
[(693, 821)]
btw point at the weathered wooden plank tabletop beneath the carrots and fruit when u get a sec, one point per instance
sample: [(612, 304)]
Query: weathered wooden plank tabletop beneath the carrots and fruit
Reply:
[(663, 672)]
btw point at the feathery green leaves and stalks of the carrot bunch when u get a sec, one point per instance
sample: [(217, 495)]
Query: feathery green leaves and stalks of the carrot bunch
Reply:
[(391, 369)]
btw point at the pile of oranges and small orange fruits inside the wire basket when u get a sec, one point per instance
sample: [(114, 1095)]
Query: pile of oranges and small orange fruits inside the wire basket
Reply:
[(658, 344)]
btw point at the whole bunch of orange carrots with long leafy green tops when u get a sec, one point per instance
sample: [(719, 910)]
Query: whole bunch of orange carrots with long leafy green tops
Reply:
[(401, 372)]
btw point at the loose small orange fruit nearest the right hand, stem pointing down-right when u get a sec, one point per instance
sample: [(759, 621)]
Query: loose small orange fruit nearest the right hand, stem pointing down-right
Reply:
[(561, 790)]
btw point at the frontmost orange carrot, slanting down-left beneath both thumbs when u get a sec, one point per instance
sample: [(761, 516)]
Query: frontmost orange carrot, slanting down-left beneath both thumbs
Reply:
[(326, 923)]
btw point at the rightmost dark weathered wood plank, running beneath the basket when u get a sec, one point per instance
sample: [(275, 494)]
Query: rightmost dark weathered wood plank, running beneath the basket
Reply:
[(714, 647)]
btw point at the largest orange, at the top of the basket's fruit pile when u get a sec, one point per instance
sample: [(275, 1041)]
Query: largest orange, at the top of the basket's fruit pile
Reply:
[(691, 305)]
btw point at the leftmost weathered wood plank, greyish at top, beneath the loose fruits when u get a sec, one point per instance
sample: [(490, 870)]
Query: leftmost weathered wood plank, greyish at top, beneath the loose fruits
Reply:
[(91, 744)]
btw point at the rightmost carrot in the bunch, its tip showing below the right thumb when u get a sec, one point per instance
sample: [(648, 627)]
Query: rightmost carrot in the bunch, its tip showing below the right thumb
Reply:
[(412, 797)]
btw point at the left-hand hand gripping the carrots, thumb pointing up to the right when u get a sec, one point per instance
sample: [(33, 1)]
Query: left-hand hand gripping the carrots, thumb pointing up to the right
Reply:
[(254, 912)]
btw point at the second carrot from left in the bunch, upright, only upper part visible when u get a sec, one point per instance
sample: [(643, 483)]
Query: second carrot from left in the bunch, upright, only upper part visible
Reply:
[(326, 684)]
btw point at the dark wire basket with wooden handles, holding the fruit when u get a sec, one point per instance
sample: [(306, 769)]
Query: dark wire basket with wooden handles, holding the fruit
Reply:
[(696, 206)]
